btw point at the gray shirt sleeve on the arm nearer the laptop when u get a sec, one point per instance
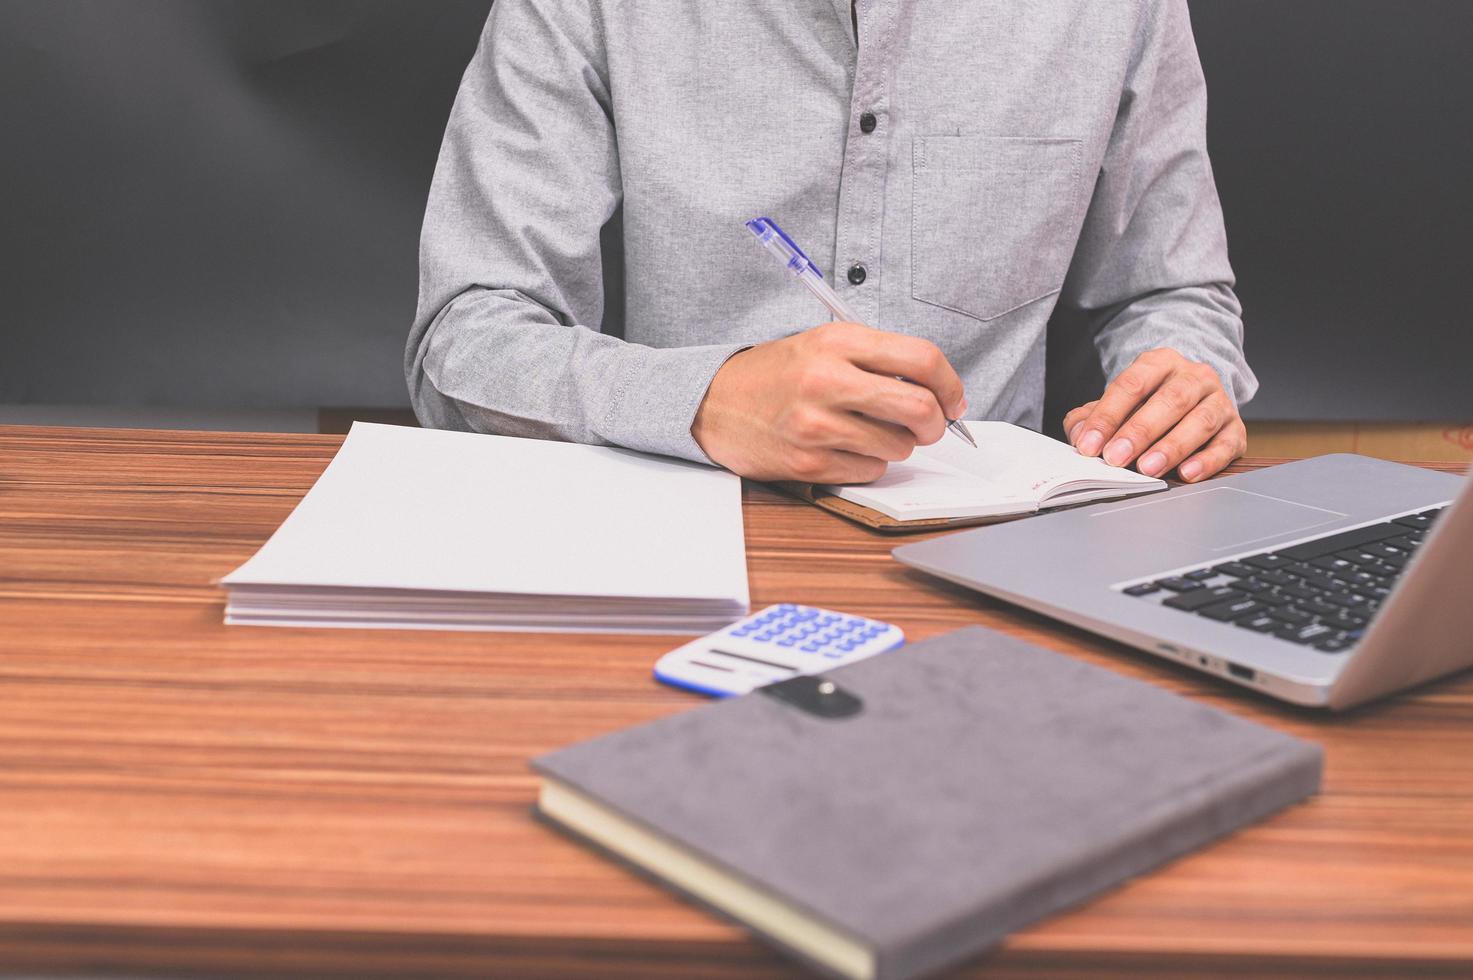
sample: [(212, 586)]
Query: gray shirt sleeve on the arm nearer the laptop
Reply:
[(1151, 269)]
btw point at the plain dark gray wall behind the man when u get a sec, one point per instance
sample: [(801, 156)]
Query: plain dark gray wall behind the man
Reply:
[(217, 203)]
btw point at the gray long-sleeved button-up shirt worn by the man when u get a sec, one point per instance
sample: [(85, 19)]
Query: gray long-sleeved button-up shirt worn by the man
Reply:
[(1024, 155)]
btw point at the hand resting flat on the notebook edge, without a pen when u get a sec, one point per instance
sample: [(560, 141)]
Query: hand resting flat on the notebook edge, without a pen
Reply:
[(1163, 412)]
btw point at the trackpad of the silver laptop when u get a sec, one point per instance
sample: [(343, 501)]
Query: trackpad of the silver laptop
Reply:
[(1220, 518)]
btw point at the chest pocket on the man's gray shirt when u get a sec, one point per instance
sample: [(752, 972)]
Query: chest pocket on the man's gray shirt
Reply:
[(995, 220)]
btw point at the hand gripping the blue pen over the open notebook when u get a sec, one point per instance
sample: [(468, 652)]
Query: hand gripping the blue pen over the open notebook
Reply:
[(827, 406)]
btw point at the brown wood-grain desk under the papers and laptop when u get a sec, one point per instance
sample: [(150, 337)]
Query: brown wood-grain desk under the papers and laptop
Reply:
[(179, 797)]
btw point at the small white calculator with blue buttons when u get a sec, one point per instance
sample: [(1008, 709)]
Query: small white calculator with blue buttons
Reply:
[(776, 645)]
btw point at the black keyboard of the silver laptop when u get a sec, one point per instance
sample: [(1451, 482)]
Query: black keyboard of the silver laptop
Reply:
[(1321, 595)]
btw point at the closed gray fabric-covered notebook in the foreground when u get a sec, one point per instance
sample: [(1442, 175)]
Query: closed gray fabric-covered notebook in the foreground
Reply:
[(983, 785)]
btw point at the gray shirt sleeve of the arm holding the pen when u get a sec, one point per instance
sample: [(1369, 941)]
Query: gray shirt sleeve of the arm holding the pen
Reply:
[(507, 332)]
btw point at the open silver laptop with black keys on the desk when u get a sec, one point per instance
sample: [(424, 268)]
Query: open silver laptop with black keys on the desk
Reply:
[(1323, 583)]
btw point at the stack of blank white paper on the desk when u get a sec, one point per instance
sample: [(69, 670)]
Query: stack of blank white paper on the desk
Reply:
[(416, 528)]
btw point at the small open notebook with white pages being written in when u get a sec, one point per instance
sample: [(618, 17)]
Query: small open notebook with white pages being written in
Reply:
[(1013, 472)]
